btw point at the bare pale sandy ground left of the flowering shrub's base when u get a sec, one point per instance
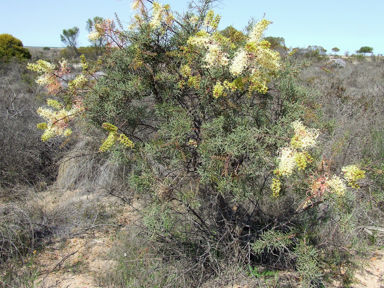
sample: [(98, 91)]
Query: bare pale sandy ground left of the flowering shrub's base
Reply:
[(74, 263)]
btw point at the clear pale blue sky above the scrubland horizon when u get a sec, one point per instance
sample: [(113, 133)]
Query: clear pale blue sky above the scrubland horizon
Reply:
[(346, 24)]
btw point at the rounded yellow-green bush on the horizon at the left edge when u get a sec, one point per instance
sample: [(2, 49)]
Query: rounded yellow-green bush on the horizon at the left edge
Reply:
[(12, 47)]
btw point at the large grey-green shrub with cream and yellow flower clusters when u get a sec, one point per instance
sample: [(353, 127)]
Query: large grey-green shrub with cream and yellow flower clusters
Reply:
[(214, 133)]
